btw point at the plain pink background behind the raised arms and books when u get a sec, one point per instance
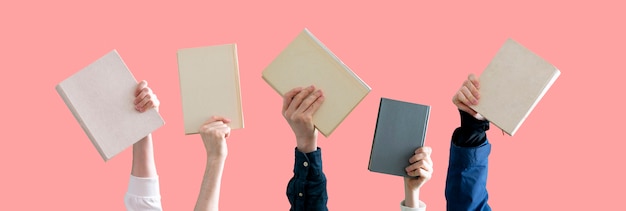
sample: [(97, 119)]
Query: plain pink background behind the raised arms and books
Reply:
[(567, 156)]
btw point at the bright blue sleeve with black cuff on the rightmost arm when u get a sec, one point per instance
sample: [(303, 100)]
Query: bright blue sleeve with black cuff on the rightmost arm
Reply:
[(466, 182)]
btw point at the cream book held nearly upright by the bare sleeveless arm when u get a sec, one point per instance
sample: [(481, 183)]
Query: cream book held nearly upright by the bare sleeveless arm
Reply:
[(209, 85)]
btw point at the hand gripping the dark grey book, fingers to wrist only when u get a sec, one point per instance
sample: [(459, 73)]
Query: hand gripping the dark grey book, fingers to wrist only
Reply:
[(421, 169)]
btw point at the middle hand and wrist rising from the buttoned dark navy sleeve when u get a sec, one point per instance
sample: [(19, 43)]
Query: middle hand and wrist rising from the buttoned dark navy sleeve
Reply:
[(299, 105)]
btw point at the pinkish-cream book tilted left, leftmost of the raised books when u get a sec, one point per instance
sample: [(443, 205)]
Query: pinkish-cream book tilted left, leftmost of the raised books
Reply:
[(100, 96)]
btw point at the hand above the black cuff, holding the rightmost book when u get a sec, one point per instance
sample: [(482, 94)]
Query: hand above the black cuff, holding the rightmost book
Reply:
[(468, 95)]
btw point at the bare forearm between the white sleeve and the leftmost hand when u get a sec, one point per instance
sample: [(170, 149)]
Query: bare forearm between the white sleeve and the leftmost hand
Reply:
[(143, 158)]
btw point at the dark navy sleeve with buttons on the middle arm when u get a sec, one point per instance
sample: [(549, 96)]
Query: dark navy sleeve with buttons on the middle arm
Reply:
[(306, 190)]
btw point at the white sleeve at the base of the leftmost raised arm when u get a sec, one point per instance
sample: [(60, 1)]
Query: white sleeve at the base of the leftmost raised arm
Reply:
[(143, 194)]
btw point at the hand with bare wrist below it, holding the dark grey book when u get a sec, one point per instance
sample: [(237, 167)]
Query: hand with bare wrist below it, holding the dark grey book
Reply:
[(421, 169)]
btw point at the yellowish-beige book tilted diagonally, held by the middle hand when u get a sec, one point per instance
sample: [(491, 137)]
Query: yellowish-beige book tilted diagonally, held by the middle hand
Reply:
[(306, 61)]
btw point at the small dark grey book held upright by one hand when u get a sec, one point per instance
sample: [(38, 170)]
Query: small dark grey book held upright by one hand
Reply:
[(400, 129)]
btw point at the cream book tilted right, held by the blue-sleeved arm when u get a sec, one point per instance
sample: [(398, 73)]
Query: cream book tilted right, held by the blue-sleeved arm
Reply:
[(512, 85)]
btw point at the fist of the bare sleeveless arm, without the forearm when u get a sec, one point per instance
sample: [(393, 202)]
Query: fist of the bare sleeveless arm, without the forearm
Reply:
[(214, 133)]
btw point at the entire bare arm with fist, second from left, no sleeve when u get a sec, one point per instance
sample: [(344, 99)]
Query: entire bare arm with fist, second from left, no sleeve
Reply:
[(214, 133)]
